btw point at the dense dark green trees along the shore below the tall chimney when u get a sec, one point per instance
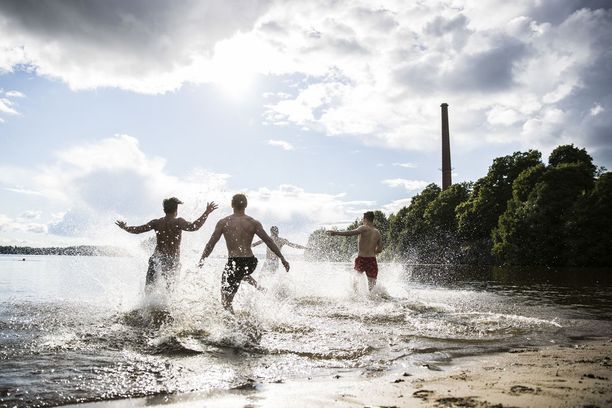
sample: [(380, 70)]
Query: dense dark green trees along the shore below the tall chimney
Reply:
[(522, 212)]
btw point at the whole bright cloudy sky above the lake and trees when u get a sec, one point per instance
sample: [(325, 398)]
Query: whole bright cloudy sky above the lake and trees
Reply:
[(317, 110)]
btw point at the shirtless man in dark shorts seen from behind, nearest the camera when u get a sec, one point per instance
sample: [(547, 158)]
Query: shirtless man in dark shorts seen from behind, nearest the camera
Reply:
[(238, 230)]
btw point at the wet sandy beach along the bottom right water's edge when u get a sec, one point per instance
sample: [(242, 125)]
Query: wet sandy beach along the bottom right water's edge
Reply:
[(550, 376)]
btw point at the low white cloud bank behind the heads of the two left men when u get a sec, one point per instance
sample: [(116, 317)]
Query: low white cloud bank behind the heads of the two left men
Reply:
[(99, 182)]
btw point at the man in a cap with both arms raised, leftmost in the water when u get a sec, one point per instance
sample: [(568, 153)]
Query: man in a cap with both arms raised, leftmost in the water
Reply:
[(165, 259)]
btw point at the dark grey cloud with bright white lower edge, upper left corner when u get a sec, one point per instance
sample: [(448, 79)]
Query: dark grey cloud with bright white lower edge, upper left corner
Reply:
[(137, 46)]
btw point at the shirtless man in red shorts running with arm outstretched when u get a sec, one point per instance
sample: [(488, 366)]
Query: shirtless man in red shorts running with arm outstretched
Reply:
[(370, 244)]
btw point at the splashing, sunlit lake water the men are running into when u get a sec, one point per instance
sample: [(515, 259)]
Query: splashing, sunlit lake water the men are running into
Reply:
[(76, 329)]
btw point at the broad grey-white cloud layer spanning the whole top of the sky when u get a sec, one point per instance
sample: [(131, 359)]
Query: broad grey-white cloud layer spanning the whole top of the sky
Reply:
[(376, 72)]
